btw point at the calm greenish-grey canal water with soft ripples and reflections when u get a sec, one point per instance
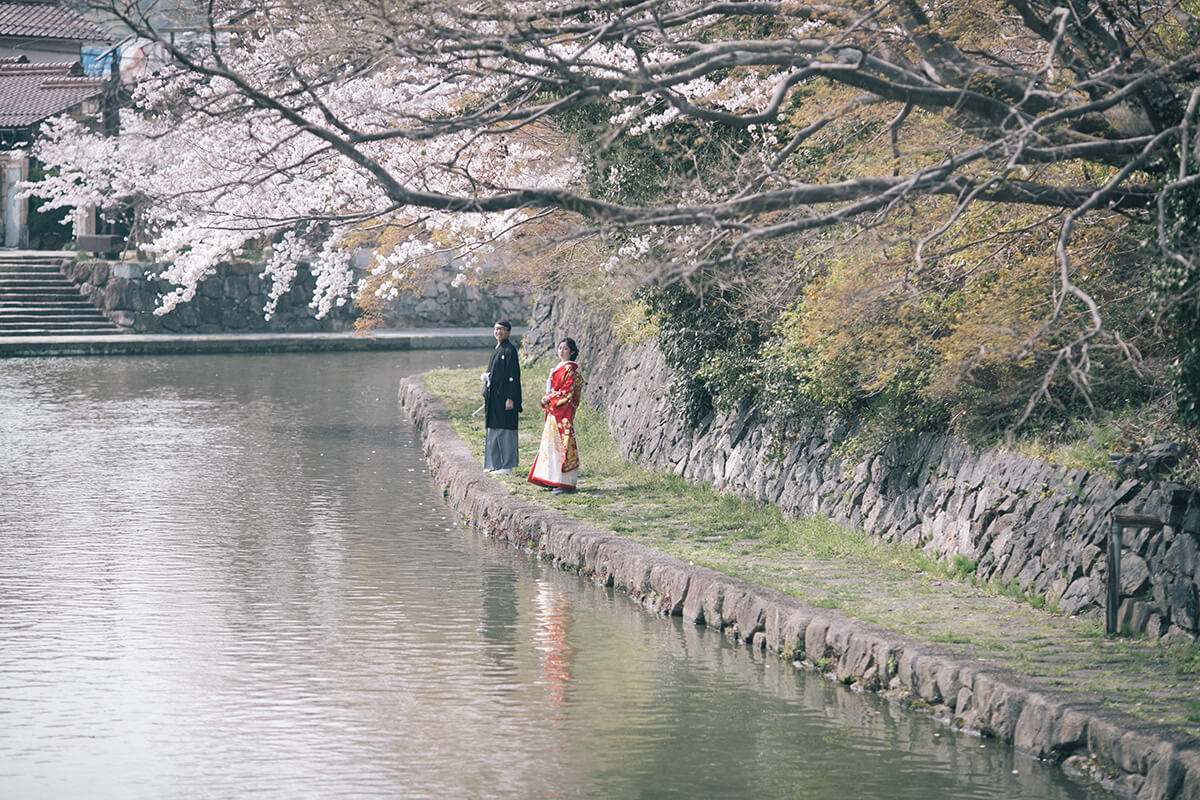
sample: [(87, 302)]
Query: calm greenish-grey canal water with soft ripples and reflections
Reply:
[(232, 578)]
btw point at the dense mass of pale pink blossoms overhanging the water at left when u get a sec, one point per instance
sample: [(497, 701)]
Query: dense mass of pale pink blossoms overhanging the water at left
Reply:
[(212, 175)]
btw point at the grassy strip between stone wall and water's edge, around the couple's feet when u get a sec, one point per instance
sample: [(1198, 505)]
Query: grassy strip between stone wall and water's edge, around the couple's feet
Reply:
[(833, 567)]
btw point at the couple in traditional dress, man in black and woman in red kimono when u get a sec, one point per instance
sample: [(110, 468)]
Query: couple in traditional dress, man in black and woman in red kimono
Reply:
[(557, 464)]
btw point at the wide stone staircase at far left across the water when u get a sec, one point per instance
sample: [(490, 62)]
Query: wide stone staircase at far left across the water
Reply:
[(38, 300)]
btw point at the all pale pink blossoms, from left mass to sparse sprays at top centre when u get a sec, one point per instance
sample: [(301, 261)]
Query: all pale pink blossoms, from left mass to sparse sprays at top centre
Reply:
[(212, 171)]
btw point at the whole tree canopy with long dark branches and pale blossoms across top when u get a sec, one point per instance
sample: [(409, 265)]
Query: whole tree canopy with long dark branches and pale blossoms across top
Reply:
[(307, 122)]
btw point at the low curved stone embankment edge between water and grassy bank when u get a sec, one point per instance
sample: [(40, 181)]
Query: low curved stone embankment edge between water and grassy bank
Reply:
[(1142, 760)]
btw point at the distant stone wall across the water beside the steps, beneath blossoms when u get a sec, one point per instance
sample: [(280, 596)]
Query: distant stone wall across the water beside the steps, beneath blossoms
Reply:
[(233, 300)]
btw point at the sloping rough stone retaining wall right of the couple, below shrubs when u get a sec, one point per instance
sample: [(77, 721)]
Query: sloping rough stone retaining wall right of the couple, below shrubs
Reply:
[(1017, 519)]
